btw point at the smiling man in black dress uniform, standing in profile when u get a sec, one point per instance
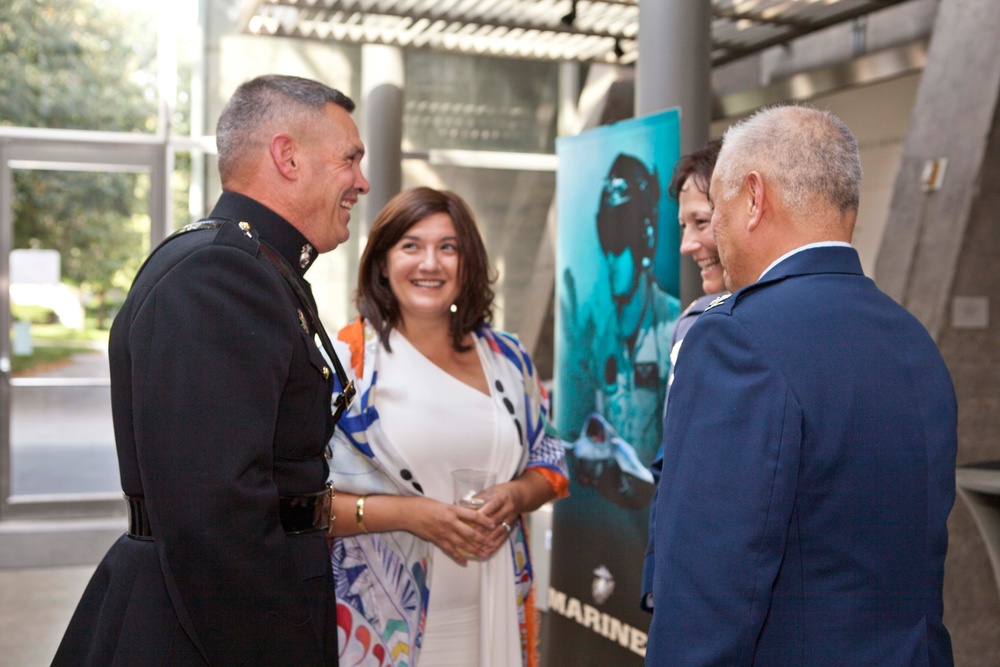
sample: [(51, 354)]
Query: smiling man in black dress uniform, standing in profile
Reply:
[(221, 403)]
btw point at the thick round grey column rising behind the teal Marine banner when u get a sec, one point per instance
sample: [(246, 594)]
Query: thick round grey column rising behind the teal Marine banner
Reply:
[(674, 70)]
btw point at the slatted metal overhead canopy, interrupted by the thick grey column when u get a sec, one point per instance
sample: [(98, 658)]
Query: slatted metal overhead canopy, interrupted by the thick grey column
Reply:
[(603, 31)]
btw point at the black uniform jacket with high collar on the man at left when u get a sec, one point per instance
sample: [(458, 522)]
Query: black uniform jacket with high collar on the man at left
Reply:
[(221, 404)]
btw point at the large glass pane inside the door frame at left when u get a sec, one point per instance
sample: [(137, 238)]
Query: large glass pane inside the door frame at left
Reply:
[(79, 238)]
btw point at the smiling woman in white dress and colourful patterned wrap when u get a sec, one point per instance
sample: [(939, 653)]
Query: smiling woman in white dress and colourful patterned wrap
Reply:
[(421, 580)]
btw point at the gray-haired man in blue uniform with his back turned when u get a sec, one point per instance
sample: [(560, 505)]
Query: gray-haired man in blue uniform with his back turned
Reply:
[(801, 515)]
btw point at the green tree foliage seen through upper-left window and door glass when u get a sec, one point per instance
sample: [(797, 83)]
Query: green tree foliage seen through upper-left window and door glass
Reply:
[(87, 65)]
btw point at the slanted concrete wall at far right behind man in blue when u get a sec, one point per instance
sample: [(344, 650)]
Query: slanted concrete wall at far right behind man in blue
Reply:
[(945, 244)]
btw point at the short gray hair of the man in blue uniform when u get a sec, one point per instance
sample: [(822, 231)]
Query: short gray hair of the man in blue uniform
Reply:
[(810, 153)]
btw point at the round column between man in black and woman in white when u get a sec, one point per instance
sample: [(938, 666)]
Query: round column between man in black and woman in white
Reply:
[(382, 130)]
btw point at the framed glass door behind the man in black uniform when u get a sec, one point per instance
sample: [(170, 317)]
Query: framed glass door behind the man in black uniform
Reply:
[(77, 217)]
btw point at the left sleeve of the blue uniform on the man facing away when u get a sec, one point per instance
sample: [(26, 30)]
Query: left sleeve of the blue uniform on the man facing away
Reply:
[(725, 498)]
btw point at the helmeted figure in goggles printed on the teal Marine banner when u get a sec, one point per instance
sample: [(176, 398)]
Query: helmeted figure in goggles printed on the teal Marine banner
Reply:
[(625, 366)]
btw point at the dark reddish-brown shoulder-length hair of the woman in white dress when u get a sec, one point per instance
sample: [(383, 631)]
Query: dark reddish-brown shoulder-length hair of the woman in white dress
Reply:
[(374, 298)]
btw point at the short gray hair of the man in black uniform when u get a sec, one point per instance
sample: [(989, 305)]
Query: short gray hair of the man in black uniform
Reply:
[(258, 102)]
